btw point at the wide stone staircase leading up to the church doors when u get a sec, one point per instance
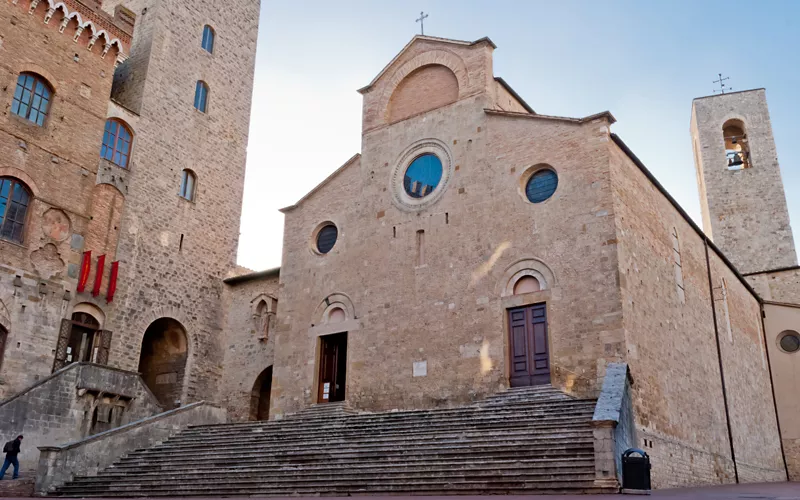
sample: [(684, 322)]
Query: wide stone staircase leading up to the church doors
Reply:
[(523, 441)]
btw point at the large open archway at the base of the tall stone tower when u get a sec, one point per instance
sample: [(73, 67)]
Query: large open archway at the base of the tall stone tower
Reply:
[(163, 360)]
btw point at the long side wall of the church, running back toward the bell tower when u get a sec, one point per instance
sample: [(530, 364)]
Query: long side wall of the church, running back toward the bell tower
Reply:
[(672, 352)]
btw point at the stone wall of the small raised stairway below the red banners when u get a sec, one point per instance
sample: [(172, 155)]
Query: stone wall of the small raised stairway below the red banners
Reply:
[(60, 408)]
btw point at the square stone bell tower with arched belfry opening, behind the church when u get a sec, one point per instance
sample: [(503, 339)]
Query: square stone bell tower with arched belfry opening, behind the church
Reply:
[(741, 191)]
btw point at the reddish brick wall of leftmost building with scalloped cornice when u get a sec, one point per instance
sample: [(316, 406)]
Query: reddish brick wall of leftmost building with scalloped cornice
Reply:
[(59, 163)]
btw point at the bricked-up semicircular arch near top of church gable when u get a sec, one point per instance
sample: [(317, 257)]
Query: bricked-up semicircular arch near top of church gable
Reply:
[(426, 88)]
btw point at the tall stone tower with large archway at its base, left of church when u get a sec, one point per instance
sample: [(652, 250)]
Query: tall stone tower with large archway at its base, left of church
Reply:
[(186, 89)]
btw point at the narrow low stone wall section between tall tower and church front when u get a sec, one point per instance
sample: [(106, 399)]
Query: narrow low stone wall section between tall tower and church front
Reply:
[(247, 351)]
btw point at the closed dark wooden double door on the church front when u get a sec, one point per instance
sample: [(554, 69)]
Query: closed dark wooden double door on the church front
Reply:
[(530, 359)]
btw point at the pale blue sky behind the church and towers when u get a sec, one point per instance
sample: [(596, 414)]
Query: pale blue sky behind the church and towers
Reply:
[(643, 61)]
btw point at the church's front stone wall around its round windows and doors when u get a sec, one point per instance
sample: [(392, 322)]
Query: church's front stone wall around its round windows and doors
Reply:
[(447, 310)]
